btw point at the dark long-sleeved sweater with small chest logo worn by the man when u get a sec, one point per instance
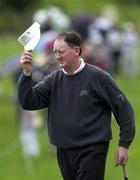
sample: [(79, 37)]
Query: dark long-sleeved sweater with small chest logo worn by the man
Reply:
[(79, 107)]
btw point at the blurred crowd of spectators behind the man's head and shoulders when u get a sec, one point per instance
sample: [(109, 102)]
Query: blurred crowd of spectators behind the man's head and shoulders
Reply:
[(105, 44)]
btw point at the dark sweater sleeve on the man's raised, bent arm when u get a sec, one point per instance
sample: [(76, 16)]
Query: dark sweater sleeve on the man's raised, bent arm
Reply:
[(33, 97)]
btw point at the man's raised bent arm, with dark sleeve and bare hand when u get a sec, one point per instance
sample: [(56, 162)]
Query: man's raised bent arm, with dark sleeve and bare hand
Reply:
[(31, 97)]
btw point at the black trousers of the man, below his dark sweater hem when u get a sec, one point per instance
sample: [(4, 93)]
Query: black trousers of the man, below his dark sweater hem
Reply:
[(83, 163)]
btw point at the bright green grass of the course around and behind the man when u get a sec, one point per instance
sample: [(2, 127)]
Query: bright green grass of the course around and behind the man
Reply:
[(12, 162)]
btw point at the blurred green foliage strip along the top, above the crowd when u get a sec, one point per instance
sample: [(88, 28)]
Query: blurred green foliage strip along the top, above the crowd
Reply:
[(20, 12)]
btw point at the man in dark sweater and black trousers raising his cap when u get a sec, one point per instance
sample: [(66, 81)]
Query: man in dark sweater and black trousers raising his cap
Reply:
[(80, 99)]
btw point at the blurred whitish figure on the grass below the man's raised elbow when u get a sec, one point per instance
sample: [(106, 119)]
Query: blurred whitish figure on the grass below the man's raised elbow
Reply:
[(29, 124)]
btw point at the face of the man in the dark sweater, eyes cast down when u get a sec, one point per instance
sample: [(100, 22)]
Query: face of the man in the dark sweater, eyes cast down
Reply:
[(65, 54)]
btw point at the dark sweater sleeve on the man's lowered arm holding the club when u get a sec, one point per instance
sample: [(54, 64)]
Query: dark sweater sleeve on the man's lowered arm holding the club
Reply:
[(114, 99)]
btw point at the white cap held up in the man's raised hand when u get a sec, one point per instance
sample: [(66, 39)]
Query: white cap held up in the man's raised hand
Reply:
[(30, 37)]
